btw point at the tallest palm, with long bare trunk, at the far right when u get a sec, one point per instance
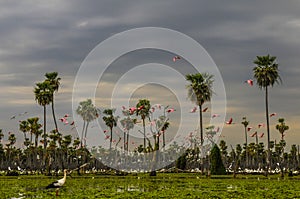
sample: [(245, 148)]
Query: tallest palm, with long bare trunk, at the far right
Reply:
[(266, 74)]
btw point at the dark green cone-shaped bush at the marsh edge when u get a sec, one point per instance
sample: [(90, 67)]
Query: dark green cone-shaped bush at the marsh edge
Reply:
[(216, 163)]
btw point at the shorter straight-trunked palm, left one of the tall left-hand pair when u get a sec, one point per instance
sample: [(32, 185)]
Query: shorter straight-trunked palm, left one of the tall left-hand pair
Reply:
[(43, 96)]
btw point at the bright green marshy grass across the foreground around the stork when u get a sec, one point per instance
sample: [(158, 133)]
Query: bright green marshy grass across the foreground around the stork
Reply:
[(182, 185)]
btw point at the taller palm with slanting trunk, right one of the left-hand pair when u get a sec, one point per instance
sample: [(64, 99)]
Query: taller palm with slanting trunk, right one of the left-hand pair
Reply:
[(54, 81)]
